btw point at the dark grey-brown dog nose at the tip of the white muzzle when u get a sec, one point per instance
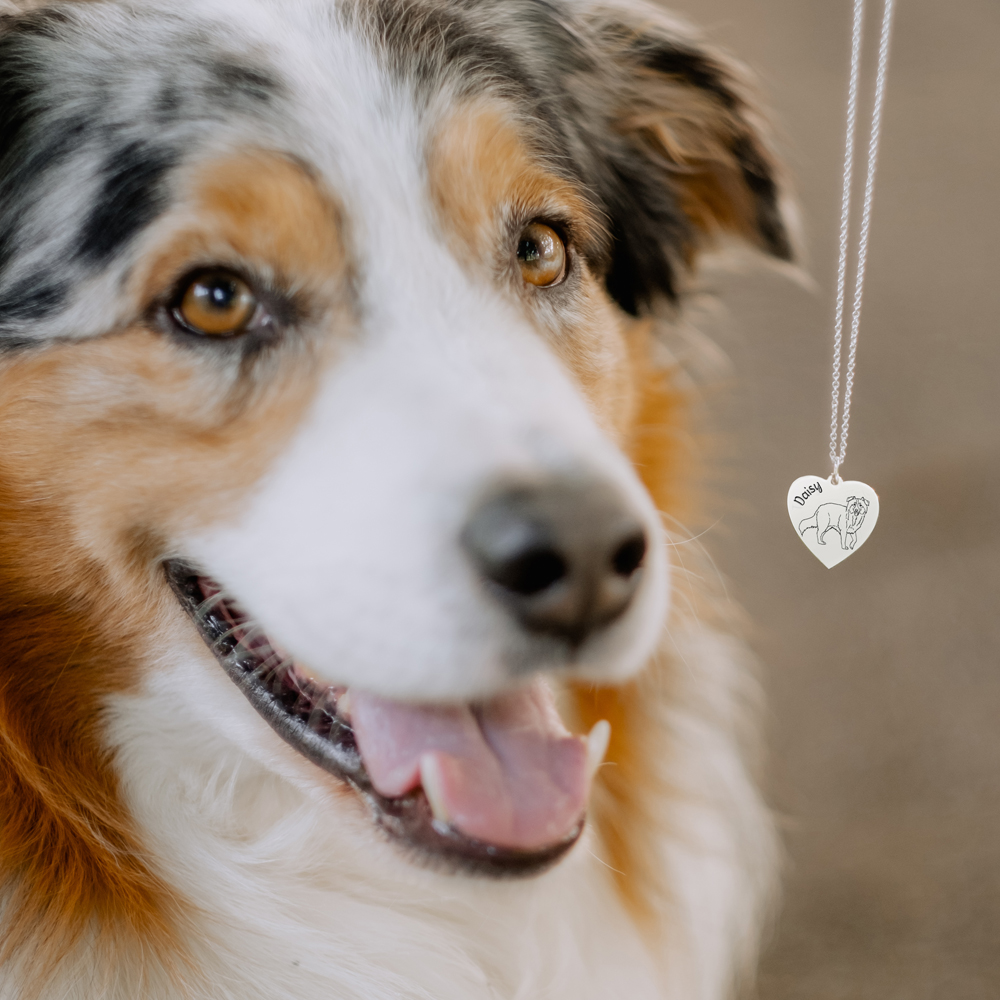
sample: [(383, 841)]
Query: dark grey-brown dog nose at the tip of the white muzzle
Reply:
[(564, 557)]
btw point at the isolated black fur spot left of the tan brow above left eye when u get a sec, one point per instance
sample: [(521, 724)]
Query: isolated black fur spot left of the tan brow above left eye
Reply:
[(132, 196)]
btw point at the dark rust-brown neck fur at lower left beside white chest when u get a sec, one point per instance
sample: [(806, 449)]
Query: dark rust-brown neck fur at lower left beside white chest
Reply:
[(65, 841)]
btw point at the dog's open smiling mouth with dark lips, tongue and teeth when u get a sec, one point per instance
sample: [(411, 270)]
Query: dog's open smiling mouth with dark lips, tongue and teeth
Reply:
[(497, 788)]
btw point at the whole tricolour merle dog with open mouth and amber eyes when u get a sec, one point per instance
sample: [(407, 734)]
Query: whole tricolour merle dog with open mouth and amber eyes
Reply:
[(340, 463)]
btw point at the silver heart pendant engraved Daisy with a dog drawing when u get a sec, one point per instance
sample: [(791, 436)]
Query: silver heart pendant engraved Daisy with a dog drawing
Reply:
[(834, 520)]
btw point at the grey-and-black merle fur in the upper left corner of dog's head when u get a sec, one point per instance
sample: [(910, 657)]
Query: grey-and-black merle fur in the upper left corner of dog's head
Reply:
[(135, 117)]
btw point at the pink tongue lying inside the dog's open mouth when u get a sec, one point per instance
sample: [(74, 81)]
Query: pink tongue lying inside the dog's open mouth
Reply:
[(506, 773)]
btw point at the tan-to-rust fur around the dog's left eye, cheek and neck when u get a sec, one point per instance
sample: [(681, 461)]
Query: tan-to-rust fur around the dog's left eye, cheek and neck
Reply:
[(111, 445)]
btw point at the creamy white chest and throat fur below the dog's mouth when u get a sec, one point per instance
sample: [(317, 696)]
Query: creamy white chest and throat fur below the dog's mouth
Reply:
[(297, 898)]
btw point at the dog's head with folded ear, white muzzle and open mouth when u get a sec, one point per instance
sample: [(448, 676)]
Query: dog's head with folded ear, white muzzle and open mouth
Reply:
[(318, 321)]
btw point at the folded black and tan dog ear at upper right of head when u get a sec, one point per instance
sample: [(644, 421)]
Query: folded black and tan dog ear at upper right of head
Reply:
[(680, 154)]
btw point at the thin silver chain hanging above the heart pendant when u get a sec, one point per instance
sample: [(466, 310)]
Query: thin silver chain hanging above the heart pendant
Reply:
[(837, 456)]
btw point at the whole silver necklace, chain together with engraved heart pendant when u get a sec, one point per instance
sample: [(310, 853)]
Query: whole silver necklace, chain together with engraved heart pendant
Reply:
[(834, 517)]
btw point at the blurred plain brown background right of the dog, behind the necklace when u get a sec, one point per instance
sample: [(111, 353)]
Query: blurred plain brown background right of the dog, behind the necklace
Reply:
[(883, 674)]
